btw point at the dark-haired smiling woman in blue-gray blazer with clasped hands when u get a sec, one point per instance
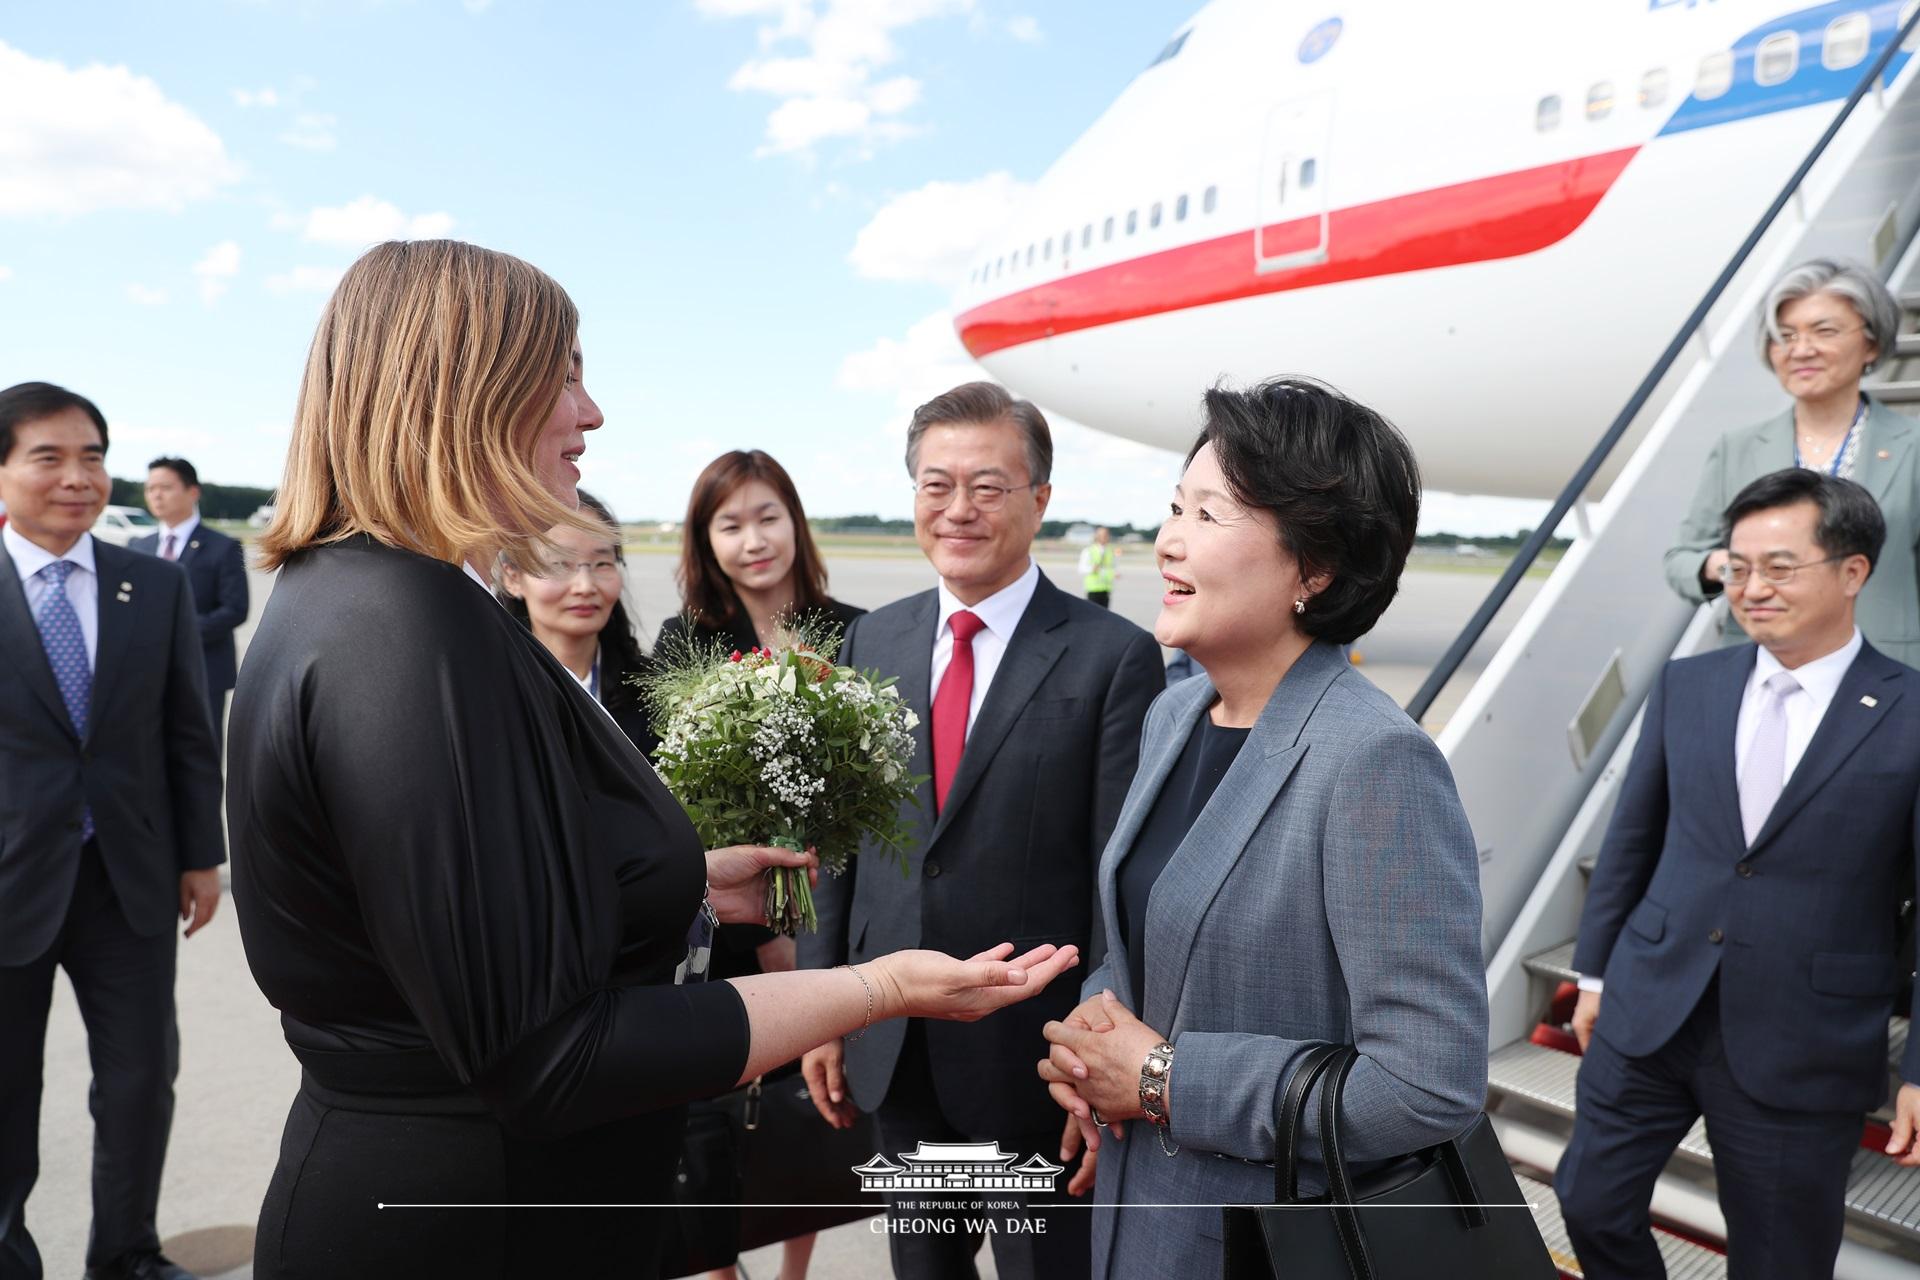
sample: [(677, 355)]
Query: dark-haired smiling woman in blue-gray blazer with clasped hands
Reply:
[(1291, 866)]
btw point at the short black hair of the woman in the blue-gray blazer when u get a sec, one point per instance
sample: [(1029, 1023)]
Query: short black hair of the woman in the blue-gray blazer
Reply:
[(1337, 479)]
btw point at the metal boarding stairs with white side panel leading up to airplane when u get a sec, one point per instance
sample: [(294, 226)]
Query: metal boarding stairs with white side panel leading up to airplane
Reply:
[(1543, 738)]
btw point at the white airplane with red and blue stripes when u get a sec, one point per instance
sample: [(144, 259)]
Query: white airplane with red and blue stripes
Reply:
[(1485, 222)]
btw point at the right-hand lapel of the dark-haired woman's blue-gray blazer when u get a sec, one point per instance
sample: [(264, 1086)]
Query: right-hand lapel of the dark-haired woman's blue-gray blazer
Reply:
[(1220, 838)]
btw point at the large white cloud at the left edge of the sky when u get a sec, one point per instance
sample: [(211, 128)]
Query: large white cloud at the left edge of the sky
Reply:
[(74, 141)]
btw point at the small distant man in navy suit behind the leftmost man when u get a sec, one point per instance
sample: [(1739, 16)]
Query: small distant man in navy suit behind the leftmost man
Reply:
[(216, 571)]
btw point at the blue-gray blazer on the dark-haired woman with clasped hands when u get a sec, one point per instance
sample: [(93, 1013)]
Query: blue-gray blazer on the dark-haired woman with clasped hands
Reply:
[(1328, 893)]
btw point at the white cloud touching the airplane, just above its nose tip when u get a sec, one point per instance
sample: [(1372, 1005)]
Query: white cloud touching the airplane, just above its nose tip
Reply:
[(932, 231)]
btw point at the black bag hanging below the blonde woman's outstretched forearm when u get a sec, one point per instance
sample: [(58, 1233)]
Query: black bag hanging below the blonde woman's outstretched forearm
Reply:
[(769, 1150)]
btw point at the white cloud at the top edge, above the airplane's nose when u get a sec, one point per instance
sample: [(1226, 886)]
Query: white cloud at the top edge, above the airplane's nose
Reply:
[(830, 91)]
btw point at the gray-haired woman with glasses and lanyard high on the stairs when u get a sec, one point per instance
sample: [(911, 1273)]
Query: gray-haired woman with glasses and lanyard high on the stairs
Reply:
[(1827, 325)]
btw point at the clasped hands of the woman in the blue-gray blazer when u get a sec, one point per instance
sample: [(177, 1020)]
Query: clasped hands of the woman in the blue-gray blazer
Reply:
[(1095, 1066)]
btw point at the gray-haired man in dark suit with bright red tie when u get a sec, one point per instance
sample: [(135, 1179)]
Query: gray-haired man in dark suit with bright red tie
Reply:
[(1032, 705)]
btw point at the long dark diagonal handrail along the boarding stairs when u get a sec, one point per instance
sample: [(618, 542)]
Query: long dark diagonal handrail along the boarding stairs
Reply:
[(1525, 557)]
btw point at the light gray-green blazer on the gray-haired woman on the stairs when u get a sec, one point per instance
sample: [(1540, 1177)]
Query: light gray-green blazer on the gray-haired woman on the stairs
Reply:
[(1888, 463)]
